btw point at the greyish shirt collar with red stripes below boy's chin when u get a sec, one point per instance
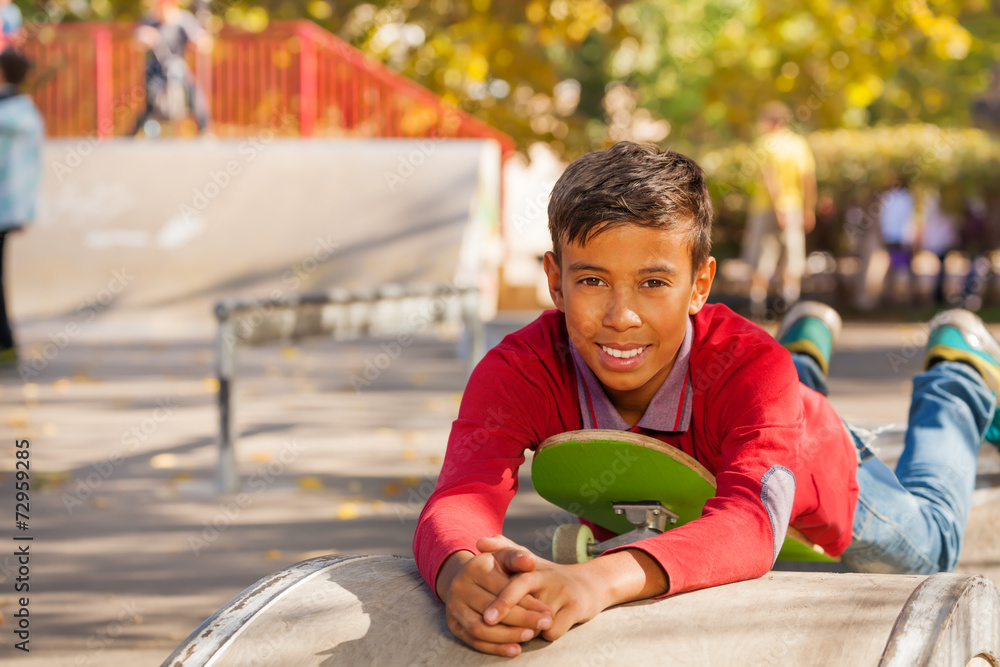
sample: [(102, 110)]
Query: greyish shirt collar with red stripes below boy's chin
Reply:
[(669, 411)]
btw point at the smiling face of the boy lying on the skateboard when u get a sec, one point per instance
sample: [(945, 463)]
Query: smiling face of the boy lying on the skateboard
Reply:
[(627, 296)]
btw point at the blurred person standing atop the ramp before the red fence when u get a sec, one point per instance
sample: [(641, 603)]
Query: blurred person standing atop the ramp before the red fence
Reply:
[(171, 87)]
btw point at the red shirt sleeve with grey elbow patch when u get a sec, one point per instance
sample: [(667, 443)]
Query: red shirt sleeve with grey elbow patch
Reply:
[(756, 417)]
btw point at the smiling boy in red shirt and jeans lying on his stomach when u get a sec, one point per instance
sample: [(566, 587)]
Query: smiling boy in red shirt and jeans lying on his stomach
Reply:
[(633, 346)]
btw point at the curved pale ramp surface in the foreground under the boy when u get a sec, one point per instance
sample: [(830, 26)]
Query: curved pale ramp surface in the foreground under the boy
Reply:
[(375, 610)]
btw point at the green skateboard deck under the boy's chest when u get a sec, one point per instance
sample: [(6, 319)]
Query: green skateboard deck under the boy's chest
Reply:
[(586, 472)]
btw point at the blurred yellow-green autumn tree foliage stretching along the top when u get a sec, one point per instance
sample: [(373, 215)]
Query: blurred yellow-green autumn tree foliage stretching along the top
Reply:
[(580, 73)]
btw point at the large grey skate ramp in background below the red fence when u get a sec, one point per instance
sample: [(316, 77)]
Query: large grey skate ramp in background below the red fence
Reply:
[(140, 225)]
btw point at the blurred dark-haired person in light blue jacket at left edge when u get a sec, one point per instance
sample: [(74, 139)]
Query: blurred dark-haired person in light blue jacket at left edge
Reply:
[(21, 131)]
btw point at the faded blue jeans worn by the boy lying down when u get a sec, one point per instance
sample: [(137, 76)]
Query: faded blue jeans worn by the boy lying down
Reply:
[(912, 521)]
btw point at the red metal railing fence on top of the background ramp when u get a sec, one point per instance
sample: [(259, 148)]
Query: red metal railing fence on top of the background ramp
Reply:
[(295, 79)]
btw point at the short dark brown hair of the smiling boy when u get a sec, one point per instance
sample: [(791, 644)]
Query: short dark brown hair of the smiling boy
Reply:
[(632, 183)]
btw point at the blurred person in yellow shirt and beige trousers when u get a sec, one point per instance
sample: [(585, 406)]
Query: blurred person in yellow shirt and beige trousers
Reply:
[(782, 210)]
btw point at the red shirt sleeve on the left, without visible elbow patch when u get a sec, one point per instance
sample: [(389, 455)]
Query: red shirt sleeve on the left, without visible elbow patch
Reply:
[(499, 418)]
